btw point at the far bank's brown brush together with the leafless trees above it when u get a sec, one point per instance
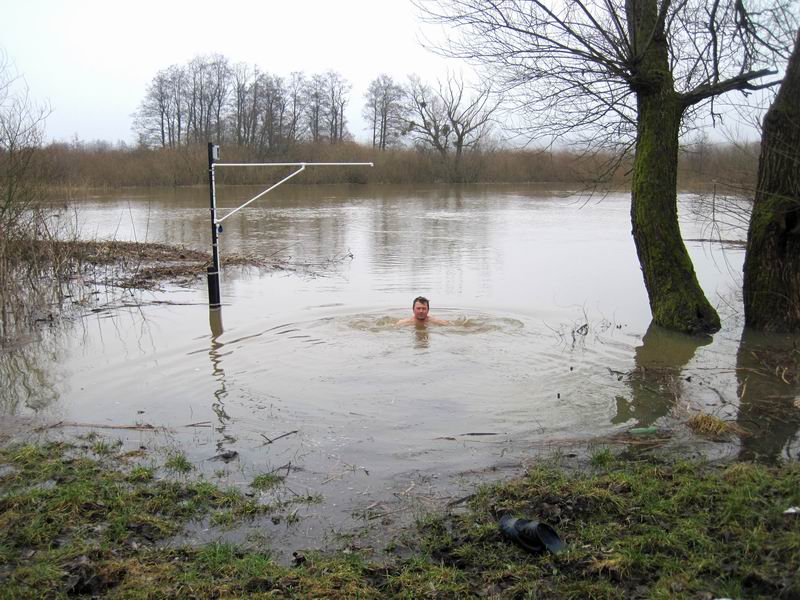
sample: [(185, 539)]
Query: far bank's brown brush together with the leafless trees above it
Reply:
[(421, 132)]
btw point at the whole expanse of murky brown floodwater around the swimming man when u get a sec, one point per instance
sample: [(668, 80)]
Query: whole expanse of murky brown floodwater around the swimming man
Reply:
[(306, 370)]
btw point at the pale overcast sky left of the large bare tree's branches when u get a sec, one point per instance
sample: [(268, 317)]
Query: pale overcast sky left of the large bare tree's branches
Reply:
[(92, 59)]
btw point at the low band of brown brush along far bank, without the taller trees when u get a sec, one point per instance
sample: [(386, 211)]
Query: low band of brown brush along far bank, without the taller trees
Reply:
[(103, 165)]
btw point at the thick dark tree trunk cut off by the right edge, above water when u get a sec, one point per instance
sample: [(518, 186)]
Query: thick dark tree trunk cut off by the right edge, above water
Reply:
[(772, 261)]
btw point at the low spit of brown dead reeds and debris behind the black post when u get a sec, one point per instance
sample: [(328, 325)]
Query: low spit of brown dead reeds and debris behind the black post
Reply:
[(42, 281)]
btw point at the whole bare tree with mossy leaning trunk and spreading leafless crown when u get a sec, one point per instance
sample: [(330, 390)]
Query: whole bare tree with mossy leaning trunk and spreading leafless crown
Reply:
[(627, 74)]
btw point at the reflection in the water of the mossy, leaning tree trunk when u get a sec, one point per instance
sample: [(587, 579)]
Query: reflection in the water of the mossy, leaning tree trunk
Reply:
[(656, 383)]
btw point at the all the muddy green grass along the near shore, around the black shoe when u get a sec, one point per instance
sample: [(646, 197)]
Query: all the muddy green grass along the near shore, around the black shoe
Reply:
[(84, 523)]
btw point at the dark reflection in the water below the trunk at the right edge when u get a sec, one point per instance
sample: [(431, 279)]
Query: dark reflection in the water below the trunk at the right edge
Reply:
[(768, 407)]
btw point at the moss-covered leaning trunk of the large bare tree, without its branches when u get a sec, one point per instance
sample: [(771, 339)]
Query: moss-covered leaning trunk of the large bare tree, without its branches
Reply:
[(676, 299)]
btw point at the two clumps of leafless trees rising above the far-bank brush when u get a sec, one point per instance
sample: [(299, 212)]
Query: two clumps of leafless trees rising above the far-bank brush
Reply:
[(212, 99)]
